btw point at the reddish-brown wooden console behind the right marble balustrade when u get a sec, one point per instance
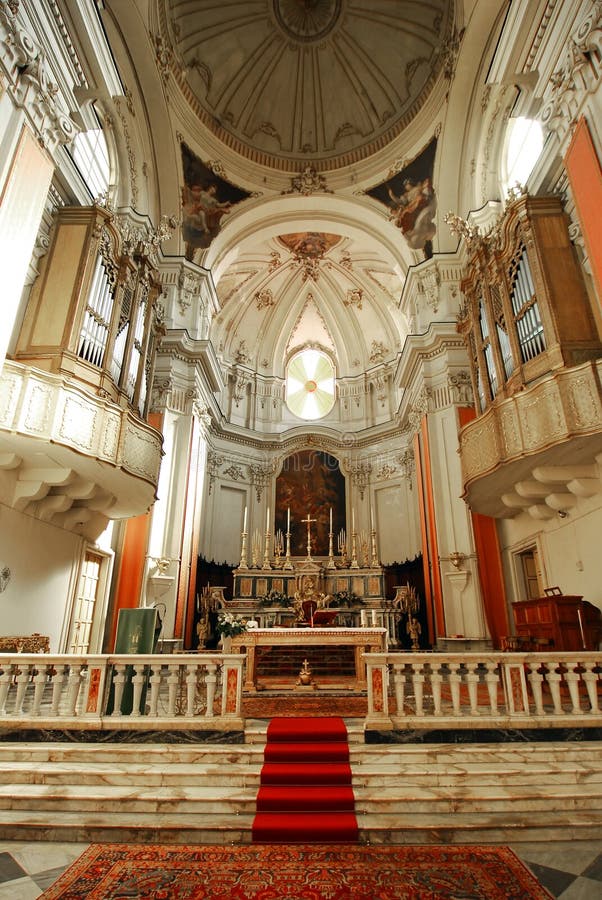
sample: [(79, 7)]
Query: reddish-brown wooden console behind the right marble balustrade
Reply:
[(564, 621)]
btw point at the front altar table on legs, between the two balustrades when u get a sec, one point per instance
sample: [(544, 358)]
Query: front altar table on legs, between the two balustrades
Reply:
[(361, 640)]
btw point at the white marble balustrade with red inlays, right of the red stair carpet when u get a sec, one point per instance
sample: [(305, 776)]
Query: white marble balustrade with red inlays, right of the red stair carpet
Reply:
[(526, 690)]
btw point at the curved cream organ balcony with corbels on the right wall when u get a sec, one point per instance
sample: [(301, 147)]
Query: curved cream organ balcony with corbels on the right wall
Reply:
[(539, 450)]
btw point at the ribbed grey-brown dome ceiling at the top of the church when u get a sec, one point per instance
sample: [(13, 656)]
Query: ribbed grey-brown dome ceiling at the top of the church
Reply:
[(297, 82)]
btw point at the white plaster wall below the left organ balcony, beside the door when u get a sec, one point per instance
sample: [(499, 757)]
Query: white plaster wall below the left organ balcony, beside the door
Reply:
[(44, 562)]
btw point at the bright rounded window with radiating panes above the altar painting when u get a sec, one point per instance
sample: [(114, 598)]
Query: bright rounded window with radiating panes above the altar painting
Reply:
[(310, 390)]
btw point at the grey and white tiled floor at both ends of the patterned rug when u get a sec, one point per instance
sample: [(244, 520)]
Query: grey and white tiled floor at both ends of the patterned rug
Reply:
[(570, 870)]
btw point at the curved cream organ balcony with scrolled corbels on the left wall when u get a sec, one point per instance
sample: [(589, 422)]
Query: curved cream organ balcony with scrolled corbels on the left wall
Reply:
[(69, 457)]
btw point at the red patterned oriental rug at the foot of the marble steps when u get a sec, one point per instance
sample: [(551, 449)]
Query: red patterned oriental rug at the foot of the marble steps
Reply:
[(270, 872)]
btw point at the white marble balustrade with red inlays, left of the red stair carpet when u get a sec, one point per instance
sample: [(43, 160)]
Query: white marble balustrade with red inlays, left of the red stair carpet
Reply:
[(121, 691)]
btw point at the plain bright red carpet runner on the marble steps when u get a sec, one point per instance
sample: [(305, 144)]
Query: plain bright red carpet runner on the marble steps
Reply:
[(305, 794)]
